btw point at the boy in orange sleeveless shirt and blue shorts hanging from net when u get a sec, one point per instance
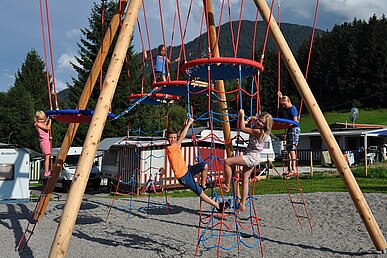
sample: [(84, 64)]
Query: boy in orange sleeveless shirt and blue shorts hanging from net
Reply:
[(185, 174)]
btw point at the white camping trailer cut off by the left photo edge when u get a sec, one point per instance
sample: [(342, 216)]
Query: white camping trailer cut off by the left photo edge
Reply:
[(14, 174)]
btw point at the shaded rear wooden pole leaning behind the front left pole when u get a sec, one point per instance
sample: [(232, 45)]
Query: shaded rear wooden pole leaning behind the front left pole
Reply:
[(82, 103)]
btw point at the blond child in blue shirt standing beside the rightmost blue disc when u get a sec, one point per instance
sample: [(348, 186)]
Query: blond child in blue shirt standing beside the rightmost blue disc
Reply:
[(292, 135)]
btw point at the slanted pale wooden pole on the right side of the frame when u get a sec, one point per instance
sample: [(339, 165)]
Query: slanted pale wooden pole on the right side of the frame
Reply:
[(322, 125)]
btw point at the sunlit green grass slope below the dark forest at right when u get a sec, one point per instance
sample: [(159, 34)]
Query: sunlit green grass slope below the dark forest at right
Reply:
[(365, 117)]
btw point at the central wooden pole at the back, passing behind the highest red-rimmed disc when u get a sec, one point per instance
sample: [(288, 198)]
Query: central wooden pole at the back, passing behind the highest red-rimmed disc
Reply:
[(219, 84)]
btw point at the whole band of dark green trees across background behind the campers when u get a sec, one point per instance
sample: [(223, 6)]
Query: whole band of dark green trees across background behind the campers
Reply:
[(348, 67)]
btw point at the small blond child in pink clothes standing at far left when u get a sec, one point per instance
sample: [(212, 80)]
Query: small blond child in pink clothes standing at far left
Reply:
[(43, 126)]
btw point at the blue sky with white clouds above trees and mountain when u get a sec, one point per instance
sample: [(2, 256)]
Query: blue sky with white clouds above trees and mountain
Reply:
[(21, 26)]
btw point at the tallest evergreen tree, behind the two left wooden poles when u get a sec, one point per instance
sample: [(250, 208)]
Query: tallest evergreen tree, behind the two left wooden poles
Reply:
[(128, 81)]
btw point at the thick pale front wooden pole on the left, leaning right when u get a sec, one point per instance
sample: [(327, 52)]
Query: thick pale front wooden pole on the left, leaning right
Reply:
[(66, 225)]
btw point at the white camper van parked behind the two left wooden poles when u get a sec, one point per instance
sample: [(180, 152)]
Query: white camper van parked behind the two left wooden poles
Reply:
[(69, 166)]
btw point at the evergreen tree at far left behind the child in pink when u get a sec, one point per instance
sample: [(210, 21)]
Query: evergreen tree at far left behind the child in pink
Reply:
[(28, 94)]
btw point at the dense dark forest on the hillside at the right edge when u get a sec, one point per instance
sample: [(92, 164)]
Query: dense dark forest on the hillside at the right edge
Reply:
[(349, 65)]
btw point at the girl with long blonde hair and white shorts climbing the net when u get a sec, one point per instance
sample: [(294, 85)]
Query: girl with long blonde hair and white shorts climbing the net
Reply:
[(261, 125)]
